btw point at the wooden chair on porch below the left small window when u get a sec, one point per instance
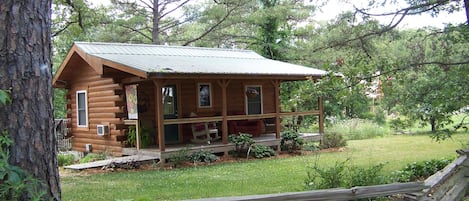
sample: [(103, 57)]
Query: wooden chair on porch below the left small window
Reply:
[(204, 132)]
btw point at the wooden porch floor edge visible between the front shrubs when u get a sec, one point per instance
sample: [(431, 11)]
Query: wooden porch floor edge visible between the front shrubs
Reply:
[(214, 147)]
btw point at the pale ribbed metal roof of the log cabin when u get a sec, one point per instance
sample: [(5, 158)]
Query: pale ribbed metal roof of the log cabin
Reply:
[(193, 60)]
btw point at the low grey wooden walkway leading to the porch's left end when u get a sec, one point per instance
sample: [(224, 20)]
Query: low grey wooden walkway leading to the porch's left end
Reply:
[(119, 160)]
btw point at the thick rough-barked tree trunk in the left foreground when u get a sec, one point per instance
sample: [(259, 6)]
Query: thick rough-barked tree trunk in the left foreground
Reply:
[(26, 70)]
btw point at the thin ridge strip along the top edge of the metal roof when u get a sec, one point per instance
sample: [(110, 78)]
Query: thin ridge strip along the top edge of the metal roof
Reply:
[(164, 46)]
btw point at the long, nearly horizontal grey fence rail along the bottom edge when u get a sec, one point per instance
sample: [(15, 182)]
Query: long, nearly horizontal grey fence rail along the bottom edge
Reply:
[(335, 194)]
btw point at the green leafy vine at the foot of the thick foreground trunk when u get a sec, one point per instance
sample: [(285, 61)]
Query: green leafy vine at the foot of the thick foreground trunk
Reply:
[(14, 181)]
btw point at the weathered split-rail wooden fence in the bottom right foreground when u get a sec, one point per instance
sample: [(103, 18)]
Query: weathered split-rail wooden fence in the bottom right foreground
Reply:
[(448, 184)]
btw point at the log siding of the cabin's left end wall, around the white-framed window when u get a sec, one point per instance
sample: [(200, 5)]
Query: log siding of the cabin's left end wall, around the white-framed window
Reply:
[(106, 105)]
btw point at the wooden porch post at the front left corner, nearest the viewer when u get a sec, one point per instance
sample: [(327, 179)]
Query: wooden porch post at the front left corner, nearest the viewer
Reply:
[(159, 116)]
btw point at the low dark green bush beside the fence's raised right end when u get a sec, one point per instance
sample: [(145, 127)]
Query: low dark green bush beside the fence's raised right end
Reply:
[(420, 170)]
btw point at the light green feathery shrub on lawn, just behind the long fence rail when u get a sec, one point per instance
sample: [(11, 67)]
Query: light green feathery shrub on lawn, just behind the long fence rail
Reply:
[(342, 174)]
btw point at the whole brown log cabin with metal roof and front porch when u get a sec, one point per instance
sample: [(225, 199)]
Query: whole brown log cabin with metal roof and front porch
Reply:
[(173, 93)]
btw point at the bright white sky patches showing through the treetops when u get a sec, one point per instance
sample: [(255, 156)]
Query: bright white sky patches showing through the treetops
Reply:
[(334, 7)]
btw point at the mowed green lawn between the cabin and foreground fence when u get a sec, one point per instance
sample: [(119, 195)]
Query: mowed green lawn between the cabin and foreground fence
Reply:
[(262, 176)]
